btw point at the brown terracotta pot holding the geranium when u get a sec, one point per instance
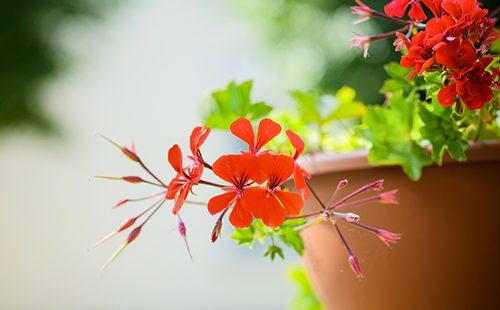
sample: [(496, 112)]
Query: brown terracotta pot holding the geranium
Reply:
[(449, 257)]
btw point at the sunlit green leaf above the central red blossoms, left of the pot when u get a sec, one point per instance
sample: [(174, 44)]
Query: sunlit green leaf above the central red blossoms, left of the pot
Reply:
[(232, 103)]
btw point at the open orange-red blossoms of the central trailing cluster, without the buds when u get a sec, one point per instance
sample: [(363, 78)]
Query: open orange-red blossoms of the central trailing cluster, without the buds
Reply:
[(254, 177)]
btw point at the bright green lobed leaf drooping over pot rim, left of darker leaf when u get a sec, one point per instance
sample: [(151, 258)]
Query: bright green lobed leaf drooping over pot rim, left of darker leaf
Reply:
[(390, 131)]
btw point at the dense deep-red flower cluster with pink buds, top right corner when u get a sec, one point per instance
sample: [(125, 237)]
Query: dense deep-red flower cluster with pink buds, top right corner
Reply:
[(454, 41)]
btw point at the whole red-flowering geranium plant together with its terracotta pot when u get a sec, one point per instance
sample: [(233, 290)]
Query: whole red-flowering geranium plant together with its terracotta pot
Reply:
[(439, 117)]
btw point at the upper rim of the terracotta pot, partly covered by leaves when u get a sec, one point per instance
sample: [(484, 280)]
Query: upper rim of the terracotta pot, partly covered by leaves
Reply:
[(321, 163)]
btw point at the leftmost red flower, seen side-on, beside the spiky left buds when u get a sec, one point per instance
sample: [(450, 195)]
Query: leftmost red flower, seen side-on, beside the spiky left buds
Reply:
[(181, 185)]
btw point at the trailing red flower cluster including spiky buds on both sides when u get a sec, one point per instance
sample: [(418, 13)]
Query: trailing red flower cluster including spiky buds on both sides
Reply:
[(251, 188)]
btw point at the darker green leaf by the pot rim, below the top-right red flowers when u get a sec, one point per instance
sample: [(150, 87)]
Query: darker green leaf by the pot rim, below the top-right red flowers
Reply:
[(442, 132)]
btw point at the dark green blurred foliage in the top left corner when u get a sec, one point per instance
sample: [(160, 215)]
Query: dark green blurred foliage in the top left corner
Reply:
[(29, 56)]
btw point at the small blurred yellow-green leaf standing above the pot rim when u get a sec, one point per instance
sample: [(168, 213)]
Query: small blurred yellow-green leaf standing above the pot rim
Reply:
[(348, 107)]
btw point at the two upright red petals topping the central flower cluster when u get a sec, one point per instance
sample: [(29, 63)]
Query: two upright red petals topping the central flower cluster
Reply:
[(242, 128)]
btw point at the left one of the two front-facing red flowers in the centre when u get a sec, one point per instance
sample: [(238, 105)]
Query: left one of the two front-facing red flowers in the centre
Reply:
[(235, 169)]
